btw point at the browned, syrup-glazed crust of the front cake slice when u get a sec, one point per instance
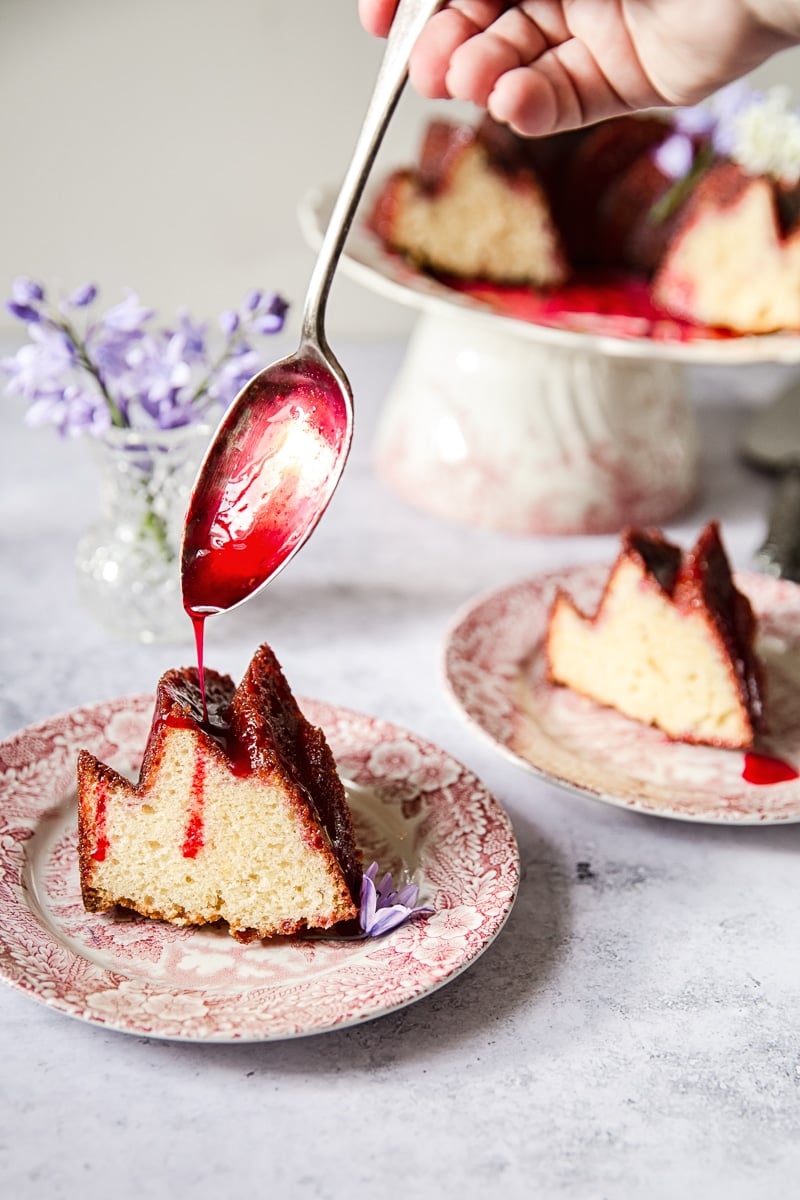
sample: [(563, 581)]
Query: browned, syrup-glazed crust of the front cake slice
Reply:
[(257, 733)]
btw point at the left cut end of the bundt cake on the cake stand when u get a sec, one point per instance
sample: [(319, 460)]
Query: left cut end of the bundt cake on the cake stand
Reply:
[(467, 213)]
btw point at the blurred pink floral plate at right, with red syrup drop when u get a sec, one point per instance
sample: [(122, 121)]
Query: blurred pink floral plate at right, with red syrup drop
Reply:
[(496, 673)]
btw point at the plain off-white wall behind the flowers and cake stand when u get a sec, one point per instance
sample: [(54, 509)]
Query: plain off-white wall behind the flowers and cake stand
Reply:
[(165, 145)]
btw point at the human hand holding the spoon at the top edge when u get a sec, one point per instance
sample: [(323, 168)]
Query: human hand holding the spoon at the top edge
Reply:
[(549, 65)]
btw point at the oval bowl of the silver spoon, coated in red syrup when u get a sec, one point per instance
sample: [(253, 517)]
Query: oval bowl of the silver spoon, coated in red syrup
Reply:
[(267, 479)]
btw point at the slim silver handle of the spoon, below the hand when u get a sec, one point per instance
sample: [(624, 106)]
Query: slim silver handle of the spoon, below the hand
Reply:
[(408, 25)]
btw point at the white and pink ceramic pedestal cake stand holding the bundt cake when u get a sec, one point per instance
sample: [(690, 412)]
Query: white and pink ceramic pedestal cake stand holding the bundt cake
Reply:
[(530, 429)]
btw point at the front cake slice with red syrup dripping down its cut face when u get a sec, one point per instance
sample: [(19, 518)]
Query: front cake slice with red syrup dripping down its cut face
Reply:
[(240, 818)]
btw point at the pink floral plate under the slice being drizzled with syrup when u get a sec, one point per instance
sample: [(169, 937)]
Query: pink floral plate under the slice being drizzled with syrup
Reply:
[(417, 811)]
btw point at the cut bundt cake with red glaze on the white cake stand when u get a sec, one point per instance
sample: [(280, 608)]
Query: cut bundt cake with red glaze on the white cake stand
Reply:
[(719, 244)]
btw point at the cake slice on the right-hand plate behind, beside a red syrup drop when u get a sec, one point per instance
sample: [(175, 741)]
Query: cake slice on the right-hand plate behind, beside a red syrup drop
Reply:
[(671, 643)]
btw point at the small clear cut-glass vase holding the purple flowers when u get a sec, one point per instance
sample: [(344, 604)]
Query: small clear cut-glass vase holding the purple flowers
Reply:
[(129, 562)]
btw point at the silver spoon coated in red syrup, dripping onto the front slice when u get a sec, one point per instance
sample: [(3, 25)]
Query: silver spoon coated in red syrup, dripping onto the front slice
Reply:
[(279, 454)]
